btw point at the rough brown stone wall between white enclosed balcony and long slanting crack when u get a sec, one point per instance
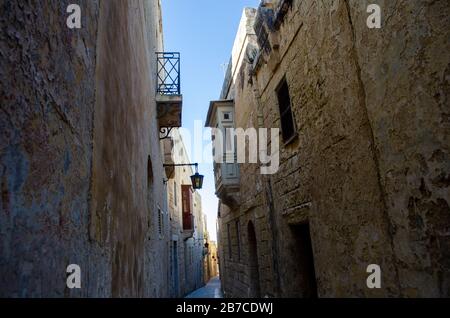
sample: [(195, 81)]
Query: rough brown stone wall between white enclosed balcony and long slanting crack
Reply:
[(328, 175)]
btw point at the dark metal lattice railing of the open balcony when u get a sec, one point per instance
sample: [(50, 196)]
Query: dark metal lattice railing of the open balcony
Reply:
[(168, 66)]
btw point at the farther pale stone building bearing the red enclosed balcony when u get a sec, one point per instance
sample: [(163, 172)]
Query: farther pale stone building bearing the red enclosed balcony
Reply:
[(186, 224)]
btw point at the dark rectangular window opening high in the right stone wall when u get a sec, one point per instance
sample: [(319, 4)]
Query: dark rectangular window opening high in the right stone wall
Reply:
[(286, 118)]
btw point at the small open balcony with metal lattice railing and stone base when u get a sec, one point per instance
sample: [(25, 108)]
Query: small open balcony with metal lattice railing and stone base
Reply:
[(168, 90)]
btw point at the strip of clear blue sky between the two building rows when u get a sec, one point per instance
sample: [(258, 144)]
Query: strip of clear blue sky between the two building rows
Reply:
[(203, 31)]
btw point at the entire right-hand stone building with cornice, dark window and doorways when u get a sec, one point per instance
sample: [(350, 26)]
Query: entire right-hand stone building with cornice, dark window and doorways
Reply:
[(364, 151)]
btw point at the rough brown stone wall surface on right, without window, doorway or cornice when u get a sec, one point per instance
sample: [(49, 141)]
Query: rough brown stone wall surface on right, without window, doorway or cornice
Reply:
[(369, 166)]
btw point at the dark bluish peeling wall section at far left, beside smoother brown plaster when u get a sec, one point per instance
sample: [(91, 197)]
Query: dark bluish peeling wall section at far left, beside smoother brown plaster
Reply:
[(47, 105)]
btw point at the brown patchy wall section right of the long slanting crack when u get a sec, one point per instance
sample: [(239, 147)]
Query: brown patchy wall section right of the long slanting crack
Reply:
[(404, 72)]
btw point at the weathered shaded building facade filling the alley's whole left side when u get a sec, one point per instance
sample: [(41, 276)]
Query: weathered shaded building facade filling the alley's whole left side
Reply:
[(81, 163)]
